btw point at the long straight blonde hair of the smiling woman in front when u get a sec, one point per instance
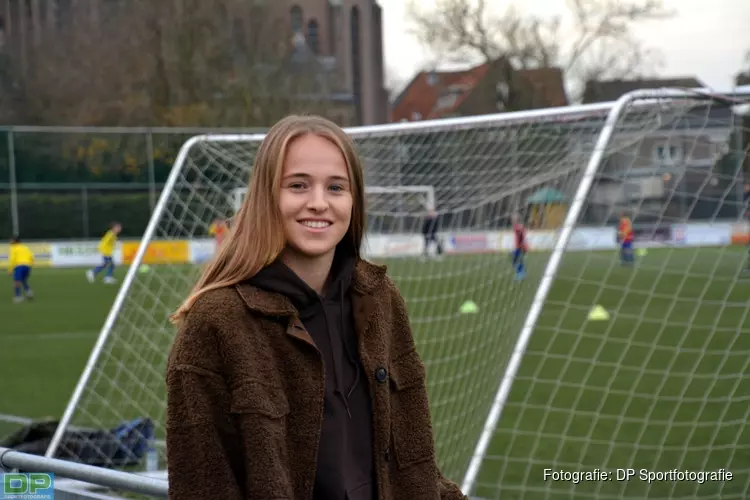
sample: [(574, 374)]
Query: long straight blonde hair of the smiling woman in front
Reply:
[(256, 237)]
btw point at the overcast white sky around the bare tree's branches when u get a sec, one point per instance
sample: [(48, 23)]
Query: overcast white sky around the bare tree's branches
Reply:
[(706, 39)]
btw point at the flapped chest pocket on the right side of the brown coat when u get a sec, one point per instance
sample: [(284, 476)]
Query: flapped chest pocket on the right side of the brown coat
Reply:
[(410, 413)]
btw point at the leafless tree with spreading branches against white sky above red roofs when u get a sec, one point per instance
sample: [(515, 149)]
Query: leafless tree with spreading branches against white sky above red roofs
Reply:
[(594, 41)]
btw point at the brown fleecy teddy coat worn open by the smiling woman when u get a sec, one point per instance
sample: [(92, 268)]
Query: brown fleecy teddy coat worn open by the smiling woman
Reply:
[(240, 372)]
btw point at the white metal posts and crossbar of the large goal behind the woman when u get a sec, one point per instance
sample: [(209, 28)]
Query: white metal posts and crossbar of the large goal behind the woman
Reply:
[(613, 112)]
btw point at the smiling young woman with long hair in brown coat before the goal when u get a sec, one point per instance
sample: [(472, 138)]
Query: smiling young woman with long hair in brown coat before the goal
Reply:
[(294, 373)]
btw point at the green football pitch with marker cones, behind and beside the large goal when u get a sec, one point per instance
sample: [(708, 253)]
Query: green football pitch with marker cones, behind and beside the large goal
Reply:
[(663, 384)]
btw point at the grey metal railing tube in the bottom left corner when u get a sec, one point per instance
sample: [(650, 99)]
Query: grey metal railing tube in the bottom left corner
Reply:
[(112, 479)]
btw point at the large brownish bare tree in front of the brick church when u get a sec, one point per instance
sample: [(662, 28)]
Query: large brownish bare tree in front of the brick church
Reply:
[(172, 62)]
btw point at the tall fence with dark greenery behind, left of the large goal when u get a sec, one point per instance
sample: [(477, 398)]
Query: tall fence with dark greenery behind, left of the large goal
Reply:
[(71, 182)]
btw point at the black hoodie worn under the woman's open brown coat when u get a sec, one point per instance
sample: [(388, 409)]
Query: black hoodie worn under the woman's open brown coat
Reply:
[(345, 456)]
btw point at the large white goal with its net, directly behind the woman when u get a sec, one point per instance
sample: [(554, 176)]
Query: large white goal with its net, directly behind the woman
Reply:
[(582, 363)]
